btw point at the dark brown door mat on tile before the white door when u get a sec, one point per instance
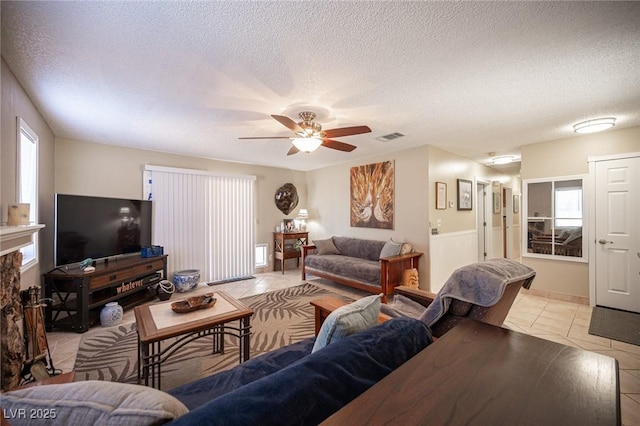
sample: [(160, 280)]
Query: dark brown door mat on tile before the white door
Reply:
[(615, 324)]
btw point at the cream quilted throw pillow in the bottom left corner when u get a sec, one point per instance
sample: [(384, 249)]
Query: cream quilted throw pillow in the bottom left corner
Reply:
[(96, 402)]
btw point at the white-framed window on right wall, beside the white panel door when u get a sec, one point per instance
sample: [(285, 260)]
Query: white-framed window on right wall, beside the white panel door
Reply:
[(555, 217)]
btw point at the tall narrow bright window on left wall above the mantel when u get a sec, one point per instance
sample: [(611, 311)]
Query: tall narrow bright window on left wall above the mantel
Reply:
[(28, 185)]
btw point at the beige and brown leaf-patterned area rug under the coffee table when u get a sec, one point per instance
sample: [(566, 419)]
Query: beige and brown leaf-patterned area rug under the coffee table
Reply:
[(280, 317)]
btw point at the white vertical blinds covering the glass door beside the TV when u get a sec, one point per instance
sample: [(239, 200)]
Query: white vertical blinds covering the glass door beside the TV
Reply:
[(204, 221)]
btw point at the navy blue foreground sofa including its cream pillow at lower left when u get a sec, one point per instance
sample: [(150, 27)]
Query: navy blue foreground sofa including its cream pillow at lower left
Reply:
[(289, 386)]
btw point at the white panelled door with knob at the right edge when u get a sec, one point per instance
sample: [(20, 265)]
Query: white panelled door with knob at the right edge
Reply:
[(617, 233)]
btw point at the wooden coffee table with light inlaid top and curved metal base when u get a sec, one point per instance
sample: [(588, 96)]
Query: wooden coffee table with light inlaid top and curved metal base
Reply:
[(157, 322)]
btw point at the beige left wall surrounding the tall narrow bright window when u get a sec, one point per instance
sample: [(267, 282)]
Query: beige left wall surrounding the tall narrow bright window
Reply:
[(16, 103)]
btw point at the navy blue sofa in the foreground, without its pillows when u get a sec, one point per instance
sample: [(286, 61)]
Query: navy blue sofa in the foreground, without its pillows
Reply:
[(294, 386)]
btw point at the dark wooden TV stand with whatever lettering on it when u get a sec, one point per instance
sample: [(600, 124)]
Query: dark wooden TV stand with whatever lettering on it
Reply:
[(78, 297)]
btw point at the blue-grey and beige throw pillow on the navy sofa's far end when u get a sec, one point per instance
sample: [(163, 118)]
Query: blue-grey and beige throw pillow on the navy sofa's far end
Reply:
[(347, 320)]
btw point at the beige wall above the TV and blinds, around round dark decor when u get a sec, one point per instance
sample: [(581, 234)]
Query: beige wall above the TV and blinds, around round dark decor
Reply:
[(84, 168)]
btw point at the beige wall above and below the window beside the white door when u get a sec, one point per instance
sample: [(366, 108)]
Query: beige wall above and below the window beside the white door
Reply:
[(567, 157)]
